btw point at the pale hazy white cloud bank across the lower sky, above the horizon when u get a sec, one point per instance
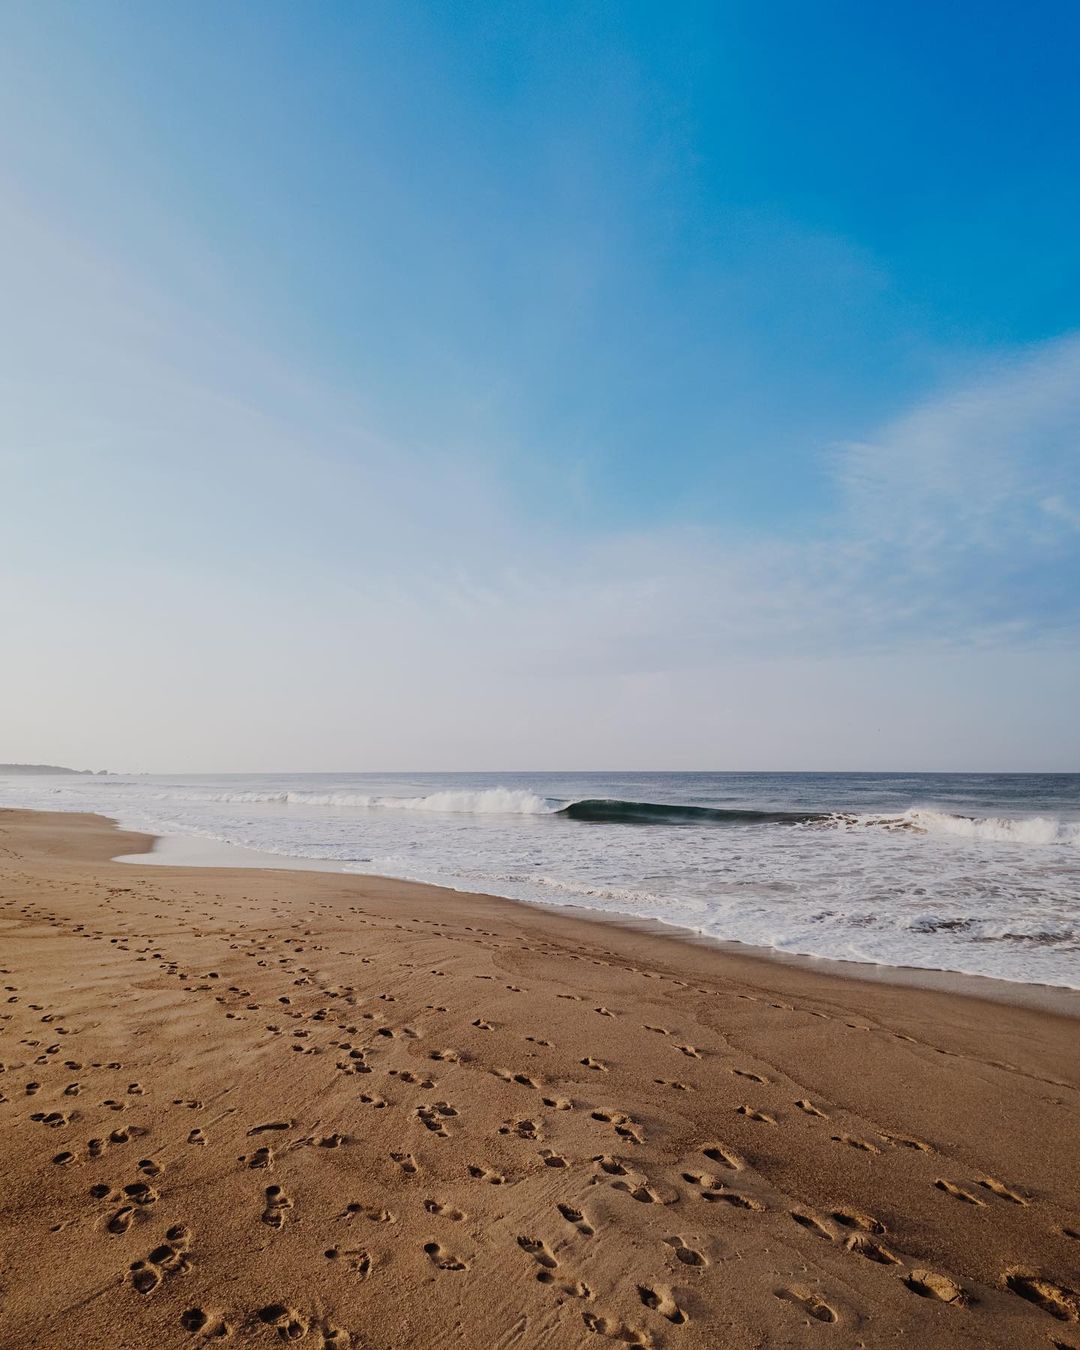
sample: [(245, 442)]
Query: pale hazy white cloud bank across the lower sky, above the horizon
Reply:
[(214, 564)]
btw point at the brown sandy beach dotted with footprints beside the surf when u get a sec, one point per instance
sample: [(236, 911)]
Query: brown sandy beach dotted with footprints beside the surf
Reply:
[(260, 1108)]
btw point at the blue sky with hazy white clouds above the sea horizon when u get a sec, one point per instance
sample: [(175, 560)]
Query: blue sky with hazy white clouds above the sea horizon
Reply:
[(439, 387)]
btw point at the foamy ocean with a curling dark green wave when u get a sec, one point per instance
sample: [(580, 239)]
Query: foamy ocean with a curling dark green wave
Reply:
[(967, 873)]
